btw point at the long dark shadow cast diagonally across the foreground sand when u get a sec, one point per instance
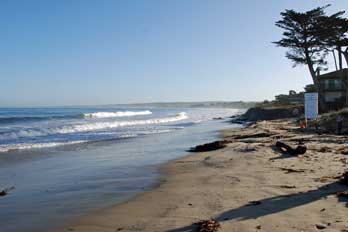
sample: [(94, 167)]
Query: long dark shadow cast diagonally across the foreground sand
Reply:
[(274, 205)]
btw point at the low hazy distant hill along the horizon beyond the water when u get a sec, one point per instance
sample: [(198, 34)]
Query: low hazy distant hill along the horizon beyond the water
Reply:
[(209, 104)]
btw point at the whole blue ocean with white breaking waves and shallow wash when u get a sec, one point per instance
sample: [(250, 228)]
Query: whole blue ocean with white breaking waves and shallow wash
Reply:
[(62, 163)]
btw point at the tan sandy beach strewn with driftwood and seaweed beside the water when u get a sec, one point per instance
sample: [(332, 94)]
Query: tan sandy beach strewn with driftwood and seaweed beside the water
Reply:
[(247, 186)]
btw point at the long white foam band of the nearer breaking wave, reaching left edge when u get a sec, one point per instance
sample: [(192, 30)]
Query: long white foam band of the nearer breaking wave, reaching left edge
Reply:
[(88, 127)]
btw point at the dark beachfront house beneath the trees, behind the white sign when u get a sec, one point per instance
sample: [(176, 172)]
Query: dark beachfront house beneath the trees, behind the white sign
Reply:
[(334, 88)]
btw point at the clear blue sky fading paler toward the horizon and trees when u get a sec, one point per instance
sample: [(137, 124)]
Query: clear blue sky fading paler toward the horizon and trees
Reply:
[(102, 52)]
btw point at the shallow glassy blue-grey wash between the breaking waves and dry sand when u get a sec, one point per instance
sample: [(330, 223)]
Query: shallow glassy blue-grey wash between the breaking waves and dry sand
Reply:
[(79, 180)]
